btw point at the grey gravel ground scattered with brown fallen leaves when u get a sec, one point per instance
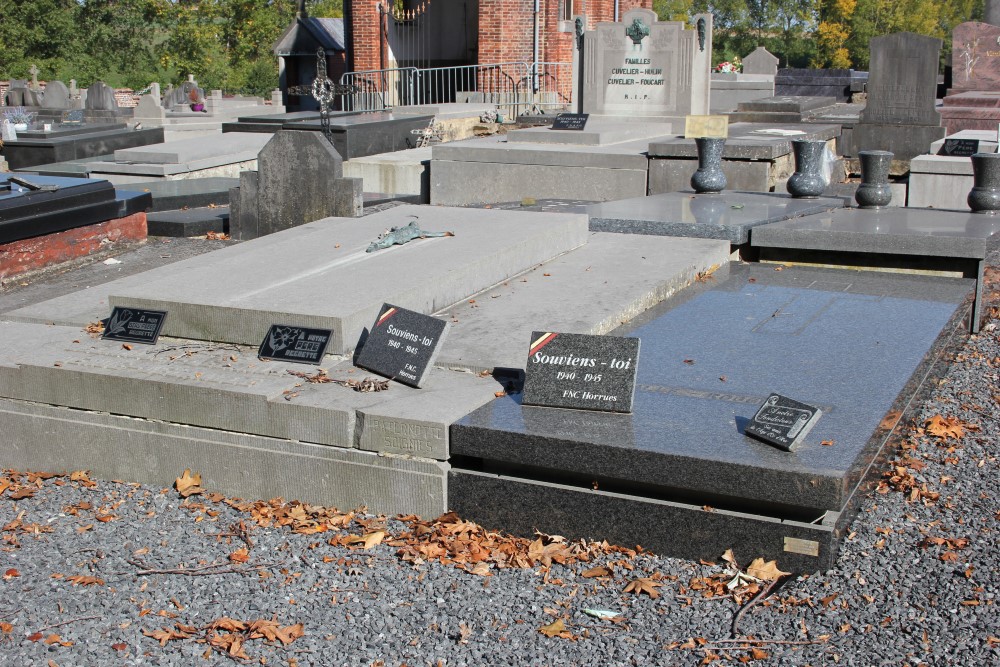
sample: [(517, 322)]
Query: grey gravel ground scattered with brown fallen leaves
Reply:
[(114, 573)]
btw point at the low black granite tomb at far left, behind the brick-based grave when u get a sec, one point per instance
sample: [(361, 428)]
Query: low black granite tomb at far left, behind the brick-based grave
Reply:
[(30, 152)]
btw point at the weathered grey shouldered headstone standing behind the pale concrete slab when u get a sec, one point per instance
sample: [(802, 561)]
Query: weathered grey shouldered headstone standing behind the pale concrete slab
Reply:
[(300, 179)]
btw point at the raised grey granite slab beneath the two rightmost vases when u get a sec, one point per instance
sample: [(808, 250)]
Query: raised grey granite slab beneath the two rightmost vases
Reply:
[(897, 238)]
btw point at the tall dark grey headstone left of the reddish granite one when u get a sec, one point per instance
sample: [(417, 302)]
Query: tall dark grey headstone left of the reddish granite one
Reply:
[(902, 87)]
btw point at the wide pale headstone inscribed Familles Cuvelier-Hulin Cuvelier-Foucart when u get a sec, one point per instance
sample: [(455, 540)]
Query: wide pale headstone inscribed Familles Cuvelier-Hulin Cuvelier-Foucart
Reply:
[(642, 67)]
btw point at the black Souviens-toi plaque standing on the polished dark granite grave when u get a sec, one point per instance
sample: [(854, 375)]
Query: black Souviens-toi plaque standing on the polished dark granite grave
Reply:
[(582, 372)]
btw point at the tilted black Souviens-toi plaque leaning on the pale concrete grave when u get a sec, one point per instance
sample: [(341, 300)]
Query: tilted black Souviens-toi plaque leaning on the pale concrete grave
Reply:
[(402, 345)]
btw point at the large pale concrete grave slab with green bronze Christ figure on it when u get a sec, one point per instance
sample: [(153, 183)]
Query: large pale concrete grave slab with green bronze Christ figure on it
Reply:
[(302, 276)]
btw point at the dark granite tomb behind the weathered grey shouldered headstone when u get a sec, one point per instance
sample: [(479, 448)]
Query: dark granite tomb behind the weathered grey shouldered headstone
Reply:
[(354, 134)]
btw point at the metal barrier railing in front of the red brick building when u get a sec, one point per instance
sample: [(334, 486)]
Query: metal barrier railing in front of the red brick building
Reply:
[(514, 88)]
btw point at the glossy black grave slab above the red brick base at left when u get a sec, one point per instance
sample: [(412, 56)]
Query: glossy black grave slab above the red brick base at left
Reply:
[(74, 202)]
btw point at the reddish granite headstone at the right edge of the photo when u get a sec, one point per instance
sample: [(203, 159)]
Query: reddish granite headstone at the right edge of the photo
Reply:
[(973, 102)]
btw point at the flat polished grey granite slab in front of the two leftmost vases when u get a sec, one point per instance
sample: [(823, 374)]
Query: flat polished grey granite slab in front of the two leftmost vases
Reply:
[(727, 215)]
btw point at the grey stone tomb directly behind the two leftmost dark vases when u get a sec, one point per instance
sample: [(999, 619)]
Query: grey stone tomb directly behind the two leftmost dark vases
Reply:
[(757, 157)]
